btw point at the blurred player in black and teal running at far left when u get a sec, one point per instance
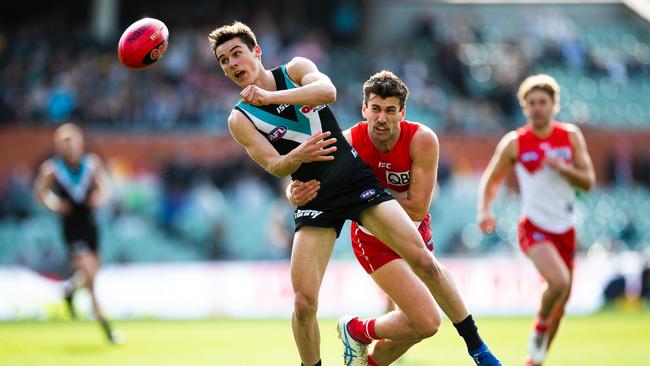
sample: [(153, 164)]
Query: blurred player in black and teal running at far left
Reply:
[(73, 184)]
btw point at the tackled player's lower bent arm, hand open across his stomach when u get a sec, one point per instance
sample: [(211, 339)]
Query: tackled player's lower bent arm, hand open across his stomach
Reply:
[(315, 148)]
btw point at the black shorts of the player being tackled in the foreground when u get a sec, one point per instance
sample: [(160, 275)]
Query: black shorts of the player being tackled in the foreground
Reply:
[(346, 206)]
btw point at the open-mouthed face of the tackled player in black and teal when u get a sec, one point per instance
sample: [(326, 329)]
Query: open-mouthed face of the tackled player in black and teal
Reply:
[(238, 62)]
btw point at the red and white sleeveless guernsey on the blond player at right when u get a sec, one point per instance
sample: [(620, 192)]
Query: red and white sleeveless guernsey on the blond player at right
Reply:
[(547, 198)]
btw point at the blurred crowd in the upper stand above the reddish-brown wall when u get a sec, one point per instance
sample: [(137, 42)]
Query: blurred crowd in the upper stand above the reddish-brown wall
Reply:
[(462, 72)]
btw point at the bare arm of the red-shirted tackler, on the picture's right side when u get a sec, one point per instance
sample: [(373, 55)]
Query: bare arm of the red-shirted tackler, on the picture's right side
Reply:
[(424, 170)]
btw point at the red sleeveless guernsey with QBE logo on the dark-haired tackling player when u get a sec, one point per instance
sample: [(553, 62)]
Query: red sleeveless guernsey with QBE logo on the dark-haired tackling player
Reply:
[(392, 168)]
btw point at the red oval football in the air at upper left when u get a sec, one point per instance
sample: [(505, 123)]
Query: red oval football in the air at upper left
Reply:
[(143, 43)]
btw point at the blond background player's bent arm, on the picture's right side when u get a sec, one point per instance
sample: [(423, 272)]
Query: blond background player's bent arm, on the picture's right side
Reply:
[(581, 173)]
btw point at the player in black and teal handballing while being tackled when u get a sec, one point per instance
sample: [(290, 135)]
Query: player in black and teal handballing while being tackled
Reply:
[(278, 121)]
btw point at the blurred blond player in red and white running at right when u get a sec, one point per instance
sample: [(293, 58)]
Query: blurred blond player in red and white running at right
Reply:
[(551, 160)]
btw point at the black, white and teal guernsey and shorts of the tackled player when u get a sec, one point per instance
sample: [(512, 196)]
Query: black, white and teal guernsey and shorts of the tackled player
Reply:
[(347, 185)]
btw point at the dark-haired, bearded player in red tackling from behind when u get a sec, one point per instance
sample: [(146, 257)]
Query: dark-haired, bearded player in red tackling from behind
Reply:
[(404, 157)]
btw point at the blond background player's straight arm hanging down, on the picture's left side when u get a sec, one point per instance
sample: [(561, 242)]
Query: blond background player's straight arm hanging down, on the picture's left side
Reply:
[(498, 168)]
